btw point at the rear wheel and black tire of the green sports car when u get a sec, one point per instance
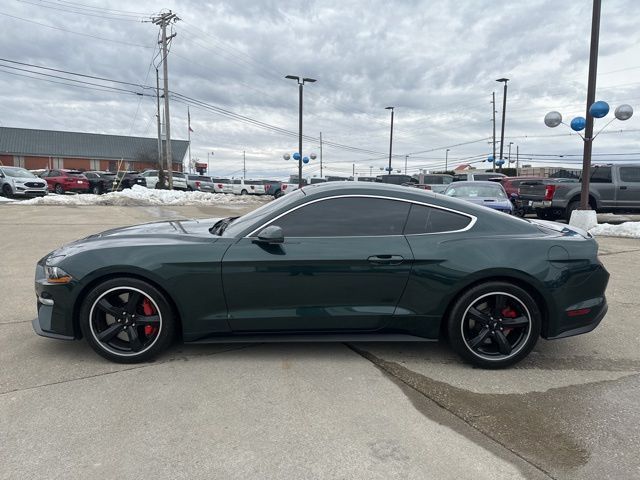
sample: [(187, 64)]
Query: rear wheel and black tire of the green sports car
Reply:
[(492, 333)]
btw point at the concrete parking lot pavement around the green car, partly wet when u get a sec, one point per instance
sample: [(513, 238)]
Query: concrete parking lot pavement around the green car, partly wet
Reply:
[(571, 410)]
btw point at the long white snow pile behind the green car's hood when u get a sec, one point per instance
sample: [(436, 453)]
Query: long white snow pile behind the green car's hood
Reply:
[(142, 196)]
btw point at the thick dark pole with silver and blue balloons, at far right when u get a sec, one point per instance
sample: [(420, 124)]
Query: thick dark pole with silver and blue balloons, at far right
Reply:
[(591, 97)]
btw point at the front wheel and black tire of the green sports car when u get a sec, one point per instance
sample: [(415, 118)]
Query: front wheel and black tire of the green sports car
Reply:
[(111, 324)]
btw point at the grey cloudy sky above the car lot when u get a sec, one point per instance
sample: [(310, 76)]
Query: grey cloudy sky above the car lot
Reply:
[(435, 61)]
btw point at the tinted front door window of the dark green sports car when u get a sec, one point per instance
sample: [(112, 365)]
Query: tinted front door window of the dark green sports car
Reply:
[(344, 217)]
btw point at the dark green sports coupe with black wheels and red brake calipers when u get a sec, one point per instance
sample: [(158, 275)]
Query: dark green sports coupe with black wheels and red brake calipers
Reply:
[(330, 262)]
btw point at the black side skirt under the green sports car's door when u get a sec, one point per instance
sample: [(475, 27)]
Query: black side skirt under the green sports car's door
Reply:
[(313, 337)]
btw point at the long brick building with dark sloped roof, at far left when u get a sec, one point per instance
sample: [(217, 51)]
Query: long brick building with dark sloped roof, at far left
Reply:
[(38, 149)]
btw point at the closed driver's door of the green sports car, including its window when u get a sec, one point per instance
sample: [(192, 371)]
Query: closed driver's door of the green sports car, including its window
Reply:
[(343, 265)]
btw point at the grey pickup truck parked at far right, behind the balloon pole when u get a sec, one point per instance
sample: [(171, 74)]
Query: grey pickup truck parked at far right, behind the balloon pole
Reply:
[(613, 188)]
